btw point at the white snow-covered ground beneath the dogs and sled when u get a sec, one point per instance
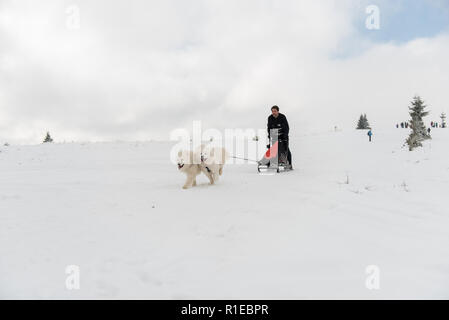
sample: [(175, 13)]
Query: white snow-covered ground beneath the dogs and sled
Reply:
[(118, 212)]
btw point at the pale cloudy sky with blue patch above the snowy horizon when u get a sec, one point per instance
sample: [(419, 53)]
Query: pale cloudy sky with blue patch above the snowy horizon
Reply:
[(138, 69)]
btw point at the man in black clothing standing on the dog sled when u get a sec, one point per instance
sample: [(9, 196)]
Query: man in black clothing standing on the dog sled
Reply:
[(278, 121)]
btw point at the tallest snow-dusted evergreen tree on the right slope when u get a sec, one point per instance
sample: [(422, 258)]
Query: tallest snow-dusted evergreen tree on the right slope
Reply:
[(419, 132)]
